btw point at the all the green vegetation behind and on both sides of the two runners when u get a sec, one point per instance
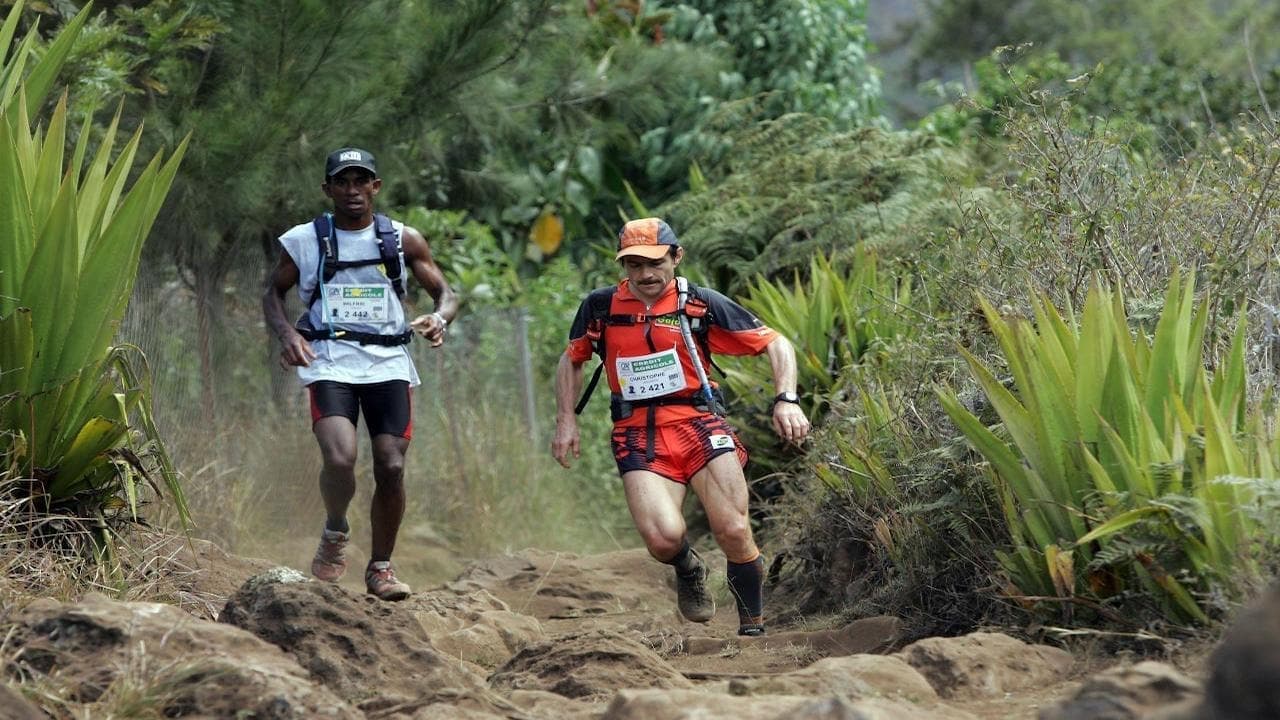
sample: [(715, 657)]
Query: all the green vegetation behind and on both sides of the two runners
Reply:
[(999, 431)]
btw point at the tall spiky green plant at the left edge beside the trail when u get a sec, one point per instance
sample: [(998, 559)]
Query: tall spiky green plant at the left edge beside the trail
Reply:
[(75, 407)]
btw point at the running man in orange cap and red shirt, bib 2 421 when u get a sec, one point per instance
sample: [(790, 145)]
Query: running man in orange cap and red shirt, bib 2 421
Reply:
[(656, 336)]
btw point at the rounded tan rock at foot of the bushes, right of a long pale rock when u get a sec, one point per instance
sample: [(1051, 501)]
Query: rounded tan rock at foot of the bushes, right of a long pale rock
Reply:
[(985, 664)]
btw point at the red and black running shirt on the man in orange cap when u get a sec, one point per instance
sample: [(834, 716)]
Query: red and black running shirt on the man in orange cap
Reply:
[(638, 352)]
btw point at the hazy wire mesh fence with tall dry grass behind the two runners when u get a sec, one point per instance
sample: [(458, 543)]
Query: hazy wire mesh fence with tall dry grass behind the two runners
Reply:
[(479, 473)]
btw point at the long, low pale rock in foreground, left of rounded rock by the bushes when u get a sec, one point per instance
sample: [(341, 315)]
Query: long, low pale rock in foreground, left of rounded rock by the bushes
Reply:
[(853, 677)]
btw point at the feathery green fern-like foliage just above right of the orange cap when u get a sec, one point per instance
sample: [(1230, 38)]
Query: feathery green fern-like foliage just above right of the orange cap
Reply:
[(793, 188)]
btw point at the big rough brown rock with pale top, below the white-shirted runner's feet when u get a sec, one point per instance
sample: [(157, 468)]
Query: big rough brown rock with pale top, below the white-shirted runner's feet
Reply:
[(358, 646)]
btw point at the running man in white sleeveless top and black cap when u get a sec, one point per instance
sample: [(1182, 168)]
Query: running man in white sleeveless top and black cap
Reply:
[(350, 350)]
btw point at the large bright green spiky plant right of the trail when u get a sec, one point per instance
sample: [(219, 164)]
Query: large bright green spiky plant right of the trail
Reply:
[(1108, 457)]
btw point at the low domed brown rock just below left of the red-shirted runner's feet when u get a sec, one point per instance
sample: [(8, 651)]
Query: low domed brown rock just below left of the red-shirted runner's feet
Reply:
[(588, 666)]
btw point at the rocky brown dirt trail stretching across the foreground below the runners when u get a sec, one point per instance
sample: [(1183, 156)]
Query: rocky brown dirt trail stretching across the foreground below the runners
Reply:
[(540, 636)]
